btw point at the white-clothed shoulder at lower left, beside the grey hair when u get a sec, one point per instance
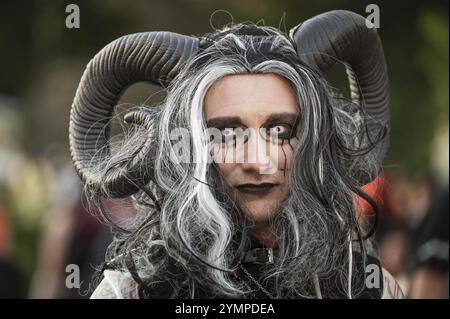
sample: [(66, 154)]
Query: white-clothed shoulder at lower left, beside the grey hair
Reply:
[(116, 285)]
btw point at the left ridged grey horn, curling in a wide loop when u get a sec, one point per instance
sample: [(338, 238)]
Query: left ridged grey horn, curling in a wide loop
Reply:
[(154, 57)]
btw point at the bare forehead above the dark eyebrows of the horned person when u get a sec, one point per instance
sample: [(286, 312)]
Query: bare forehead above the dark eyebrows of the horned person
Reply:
[(251, 96)]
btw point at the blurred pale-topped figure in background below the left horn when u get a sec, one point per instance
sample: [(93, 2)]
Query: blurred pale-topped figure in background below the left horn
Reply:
[(71, 237)]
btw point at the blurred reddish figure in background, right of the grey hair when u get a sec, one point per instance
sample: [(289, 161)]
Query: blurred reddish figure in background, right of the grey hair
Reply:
[(403, 203)]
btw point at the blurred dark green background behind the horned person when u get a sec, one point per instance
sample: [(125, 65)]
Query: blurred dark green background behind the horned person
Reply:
[(42, 61)]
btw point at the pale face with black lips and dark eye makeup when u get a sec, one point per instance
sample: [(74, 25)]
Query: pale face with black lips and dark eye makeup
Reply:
[(265, 107)]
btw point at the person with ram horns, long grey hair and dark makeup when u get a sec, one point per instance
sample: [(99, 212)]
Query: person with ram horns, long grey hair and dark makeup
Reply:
[(244, 177)]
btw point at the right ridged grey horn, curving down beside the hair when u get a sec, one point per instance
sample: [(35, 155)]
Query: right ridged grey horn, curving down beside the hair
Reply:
[(342, 36)]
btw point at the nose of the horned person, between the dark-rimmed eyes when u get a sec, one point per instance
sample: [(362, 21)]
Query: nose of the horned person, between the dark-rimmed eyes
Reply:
[(258, 155)]
